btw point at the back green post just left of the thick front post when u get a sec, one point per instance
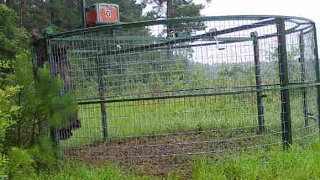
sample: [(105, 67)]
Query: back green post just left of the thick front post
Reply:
[(254, 35)]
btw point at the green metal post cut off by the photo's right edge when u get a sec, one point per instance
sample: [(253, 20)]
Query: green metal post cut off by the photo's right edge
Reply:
[(316, 54)]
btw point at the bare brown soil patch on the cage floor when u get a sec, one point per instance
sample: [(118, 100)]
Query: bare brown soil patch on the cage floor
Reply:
[(163, 154)]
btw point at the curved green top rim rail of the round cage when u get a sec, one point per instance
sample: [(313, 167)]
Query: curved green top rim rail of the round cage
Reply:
[(293, 19)]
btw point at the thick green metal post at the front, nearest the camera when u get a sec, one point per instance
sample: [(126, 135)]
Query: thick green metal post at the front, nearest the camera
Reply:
[(284, 82)]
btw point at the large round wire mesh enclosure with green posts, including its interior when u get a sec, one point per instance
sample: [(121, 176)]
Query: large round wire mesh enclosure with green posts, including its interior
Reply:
[(156, 92)]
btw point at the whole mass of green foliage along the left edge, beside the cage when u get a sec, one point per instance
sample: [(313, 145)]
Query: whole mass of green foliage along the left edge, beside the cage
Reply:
[(29, 105)]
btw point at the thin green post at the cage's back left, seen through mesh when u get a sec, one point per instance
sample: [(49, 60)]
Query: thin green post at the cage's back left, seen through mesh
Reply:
[(102, 104)]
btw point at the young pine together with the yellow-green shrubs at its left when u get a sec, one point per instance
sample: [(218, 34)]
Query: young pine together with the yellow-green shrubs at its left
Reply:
[(26, 118)]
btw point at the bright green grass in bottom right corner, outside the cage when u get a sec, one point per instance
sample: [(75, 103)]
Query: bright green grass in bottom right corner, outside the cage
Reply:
[(297, 164)]
